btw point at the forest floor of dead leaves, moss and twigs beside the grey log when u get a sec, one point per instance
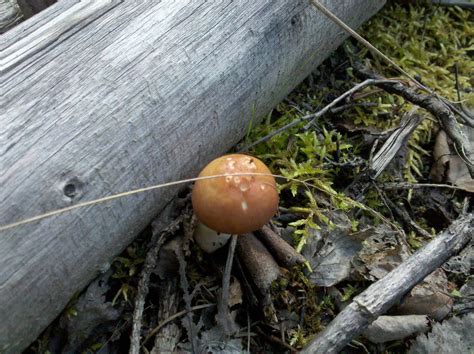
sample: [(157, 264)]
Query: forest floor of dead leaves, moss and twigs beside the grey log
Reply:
[(364, 209)]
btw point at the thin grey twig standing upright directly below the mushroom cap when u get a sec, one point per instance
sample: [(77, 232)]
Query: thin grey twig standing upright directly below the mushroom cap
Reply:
[(223, 316)]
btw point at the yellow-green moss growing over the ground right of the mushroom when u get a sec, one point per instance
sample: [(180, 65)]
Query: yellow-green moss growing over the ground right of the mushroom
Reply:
[(431, 43)]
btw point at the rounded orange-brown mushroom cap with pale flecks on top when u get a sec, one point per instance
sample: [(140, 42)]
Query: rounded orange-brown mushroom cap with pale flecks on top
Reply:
[(235, 204)]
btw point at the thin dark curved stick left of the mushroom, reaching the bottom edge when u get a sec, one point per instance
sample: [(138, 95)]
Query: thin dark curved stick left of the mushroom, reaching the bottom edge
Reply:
[(157, 241)]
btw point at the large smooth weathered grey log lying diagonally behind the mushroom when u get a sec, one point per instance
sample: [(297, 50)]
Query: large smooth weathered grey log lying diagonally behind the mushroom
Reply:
[(103, 96)]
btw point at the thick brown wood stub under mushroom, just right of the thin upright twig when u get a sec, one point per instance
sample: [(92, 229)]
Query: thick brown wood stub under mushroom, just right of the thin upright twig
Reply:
[(258, 262)]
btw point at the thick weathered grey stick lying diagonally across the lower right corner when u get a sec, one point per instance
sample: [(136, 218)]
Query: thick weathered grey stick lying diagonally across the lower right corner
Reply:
[(383, 294)]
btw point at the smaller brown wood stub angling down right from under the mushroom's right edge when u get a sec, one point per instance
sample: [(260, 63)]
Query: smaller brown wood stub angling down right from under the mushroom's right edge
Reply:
[(283, 253)]
